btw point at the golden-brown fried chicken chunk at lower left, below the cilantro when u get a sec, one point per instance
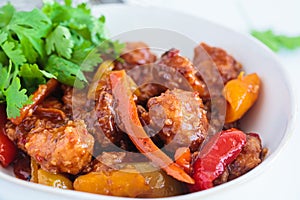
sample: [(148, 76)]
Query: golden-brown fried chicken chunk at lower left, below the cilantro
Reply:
[(66, 149)]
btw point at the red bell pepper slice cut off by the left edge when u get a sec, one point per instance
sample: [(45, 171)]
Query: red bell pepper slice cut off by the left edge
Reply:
[(8, 149)]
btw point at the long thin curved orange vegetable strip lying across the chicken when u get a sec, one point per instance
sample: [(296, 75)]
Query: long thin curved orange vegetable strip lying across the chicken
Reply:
[(127, 111)]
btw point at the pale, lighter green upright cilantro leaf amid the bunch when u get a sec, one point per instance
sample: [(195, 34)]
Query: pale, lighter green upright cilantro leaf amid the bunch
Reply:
[(59, 40)]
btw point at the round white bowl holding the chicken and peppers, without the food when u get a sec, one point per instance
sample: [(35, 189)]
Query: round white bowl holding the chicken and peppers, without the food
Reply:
[(273, 114)]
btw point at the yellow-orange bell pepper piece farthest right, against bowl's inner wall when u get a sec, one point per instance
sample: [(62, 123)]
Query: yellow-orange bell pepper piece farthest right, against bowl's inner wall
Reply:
[(241, 94)]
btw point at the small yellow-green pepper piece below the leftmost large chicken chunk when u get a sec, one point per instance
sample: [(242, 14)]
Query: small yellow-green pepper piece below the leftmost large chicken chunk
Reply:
[(54, 180)]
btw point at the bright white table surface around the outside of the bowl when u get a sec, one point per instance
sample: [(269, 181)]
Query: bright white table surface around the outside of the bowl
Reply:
[(280, 181)]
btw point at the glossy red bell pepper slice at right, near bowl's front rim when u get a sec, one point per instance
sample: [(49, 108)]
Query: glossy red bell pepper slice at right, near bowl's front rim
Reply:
[(221, 150)]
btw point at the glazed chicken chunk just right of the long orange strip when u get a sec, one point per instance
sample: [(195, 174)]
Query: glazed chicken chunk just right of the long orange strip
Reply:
[(179, 118)]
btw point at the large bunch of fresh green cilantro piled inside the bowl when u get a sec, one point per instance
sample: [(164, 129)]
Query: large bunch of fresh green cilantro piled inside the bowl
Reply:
[(57, 41)]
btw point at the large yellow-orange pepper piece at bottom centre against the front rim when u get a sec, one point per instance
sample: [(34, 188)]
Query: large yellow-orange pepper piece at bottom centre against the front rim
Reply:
[(131, 180)]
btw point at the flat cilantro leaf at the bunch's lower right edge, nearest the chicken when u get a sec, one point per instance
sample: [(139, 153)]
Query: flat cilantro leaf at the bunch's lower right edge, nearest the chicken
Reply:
[(66, 72)]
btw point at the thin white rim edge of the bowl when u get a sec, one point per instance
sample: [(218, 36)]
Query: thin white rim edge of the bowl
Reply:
[(289, 130)]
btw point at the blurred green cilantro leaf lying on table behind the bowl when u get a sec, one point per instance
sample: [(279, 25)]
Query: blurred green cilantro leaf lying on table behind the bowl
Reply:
[(277, 42)]
